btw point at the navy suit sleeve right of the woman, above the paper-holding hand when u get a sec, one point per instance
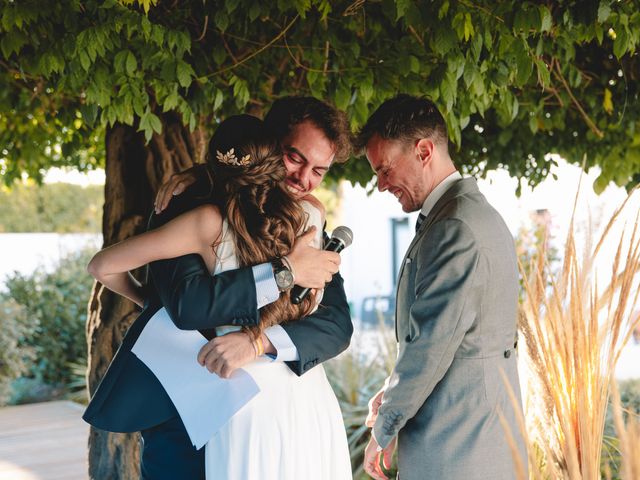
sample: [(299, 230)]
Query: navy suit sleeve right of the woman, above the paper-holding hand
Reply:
[(326, 332)]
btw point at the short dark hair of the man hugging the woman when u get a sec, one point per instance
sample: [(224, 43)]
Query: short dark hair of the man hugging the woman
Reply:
[(287, 112)]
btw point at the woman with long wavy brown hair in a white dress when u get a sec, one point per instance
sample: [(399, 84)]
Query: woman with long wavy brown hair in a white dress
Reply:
[(292, 428)]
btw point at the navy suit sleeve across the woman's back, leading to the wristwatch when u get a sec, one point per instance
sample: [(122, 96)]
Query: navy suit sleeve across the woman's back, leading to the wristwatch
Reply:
[(195, 299)]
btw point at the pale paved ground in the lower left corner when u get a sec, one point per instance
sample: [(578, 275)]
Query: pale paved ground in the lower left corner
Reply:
[(43, 441)]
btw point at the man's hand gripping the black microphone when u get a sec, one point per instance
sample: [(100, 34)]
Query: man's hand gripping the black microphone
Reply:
[(312, 268)]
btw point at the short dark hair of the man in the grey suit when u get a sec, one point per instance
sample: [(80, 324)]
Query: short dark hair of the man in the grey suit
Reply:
[(405, 118)]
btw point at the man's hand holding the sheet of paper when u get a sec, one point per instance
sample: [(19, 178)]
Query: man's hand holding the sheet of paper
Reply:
[(223, 355)]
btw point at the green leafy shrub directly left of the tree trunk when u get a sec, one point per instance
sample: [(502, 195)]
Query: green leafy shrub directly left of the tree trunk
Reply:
[(55, 306)]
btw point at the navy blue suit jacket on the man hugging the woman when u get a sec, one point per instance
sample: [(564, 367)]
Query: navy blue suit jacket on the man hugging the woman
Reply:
[(130, 398)]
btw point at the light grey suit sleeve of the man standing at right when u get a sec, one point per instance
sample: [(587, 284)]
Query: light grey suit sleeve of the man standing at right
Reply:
[(445, 269)]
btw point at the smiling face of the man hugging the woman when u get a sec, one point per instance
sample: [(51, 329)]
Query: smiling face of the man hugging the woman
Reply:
[(308, 154)]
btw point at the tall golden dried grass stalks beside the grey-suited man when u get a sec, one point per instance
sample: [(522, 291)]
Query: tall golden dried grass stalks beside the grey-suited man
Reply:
[(573, 336)]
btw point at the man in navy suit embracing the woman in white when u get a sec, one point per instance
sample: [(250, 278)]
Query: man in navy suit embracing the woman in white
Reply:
[(129, 398)]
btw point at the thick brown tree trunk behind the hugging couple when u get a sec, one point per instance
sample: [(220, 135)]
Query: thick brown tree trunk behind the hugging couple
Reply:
[(134, 172)]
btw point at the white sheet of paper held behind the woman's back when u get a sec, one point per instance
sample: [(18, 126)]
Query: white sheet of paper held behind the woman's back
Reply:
[(204, 401)]
